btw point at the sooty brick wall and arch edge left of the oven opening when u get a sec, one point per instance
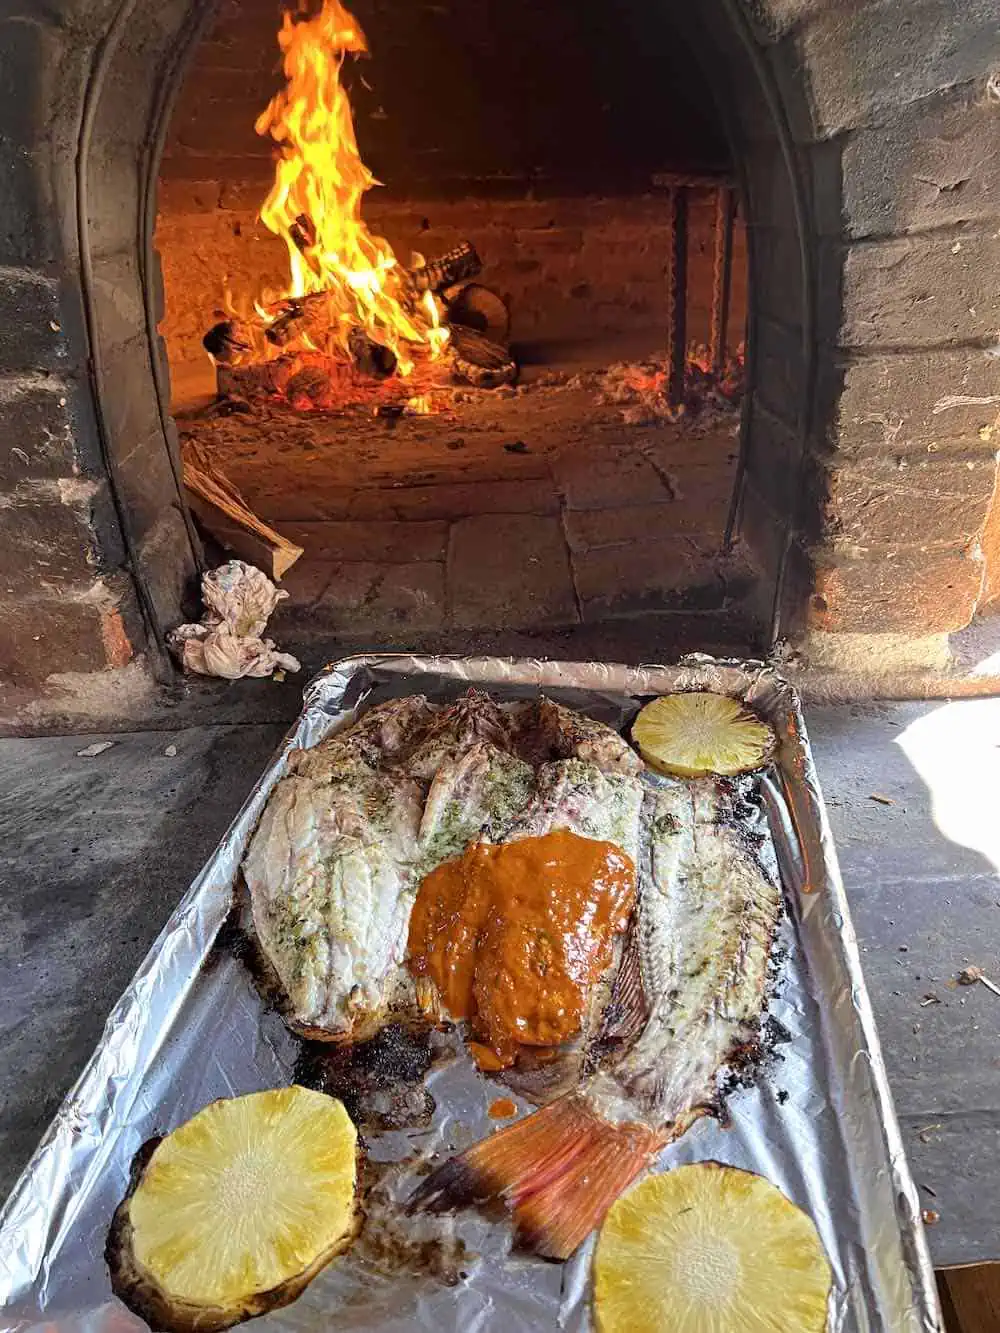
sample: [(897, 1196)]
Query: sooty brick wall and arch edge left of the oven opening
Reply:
[(94, 551)]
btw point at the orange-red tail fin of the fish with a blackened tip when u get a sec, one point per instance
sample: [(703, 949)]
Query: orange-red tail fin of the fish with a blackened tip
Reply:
[(559, 1171)]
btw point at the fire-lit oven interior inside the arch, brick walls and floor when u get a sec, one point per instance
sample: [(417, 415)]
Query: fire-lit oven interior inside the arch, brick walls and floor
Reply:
[(555, 141)]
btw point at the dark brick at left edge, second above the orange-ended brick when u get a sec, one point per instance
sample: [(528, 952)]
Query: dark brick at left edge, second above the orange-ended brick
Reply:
[(46, 430)]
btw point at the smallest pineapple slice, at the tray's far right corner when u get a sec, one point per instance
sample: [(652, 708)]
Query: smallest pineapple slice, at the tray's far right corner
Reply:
[(693, 735)]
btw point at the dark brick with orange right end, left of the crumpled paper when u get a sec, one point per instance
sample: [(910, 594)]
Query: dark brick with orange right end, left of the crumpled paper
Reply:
[(43, 637)]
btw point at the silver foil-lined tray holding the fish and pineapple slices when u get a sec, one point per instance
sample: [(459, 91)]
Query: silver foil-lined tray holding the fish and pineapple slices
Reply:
[(818, 1120)]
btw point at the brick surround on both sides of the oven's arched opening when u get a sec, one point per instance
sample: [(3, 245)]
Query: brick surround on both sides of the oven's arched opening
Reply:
[(870, 157)]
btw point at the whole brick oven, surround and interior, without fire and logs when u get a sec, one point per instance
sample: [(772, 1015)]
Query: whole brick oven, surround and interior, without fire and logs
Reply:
[(859, 478)]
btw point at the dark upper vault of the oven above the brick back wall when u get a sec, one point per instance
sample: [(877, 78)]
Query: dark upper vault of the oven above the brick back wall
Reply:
[(503, 94)]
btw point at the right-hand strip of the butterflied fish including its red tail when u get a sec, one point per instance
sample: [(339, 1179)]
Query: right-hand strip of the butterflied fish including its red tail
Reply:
[(689, 999)]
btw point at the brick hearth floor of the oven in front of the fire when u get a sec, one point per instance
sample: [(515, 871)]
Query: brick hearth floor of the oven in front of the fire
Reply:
[(538, 509)]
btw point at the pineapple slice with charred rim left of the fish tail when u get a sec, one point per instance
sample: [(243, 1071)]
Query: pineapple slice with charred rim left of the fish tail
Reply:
[(237, 1211)]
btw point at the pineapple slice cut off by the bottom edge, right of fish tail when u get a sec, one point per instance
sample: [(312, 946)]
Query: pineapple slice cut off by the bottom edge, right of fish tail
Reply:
[(710, 1250)]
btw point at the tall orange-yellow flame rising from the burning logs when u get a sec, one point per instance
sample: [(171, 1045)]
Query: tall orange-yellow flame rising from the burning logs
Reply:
[(321, 182)]
